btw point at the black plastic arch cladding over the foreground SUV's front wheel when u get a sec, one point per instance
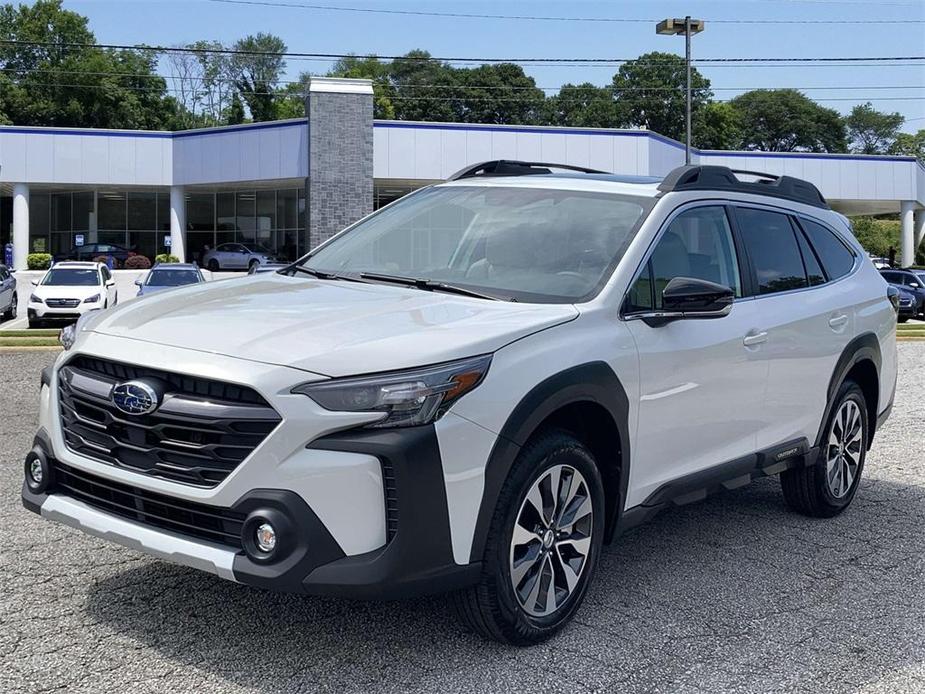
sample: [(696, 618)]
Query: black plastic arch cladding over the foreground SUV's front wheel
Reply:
[(593, 383)]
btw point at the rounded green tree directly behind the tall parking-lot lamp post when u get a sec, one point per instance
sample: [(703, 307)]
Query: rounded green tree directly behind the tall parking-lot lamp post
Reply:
[(650, 93)]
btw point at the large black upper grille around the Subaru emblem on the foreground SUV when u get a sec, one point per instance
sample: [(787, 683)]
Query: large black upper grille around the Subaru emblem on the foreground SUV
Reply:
[(201, 432)]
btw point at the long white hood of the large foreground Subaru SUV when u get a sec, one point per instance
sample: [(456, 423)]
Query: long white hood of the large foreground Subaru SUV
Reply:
[(331, 328)]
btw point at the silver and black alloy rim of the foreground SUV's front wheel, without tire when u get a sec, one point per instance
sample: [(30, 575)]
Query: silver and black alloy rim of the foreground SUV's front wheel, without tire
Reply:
[(551, 540)]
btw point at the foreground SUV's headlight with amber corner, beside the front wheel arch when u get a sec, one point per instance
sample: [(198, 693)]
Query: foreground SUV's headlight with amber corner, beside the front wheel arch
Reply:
[(407, 398)]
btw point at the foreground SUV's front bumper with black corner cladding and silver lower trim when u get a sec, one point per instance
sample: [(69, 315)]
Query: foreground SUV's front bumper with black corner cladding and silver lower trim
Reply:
[(416, 556)]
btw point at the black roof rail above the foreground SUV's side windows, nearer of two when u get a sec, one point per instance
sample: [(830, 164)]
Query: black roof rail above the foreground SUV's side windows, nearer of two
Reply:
[(723, 178)]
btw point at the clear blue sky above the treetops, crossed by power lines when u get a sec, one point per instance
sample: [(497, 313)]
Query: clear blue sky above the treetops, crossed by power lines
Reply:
[(733, 29)]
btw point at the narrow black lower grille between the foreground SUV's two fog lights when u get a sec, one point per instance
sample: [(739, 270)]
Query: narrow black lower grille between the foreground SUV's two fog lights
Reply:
[(210, 523)]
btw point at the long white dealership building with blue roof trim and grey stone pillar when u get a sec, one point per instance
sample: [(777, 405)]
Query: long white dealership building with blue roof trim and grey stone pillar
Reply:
[(288, 185)]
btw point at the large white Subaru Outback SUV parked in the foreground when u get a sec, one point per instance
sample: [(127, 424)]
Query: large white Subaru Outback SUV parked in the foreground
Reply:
[(476, 387)]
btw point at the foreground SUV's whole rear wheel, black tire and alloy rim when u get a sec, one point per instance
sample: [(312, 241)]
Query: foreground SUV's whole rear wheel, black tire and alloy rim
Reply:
[(827, 488)]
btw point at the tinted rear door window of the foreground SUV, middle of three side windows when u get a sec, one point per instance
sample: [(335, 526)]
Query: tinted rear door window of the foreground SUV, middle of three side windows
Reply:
[(772, 247)]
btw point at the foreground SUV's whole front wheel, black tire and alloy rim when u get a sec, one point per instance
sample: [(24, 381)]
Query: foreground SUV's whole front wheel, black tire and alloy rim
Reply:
[(542, 546)]
